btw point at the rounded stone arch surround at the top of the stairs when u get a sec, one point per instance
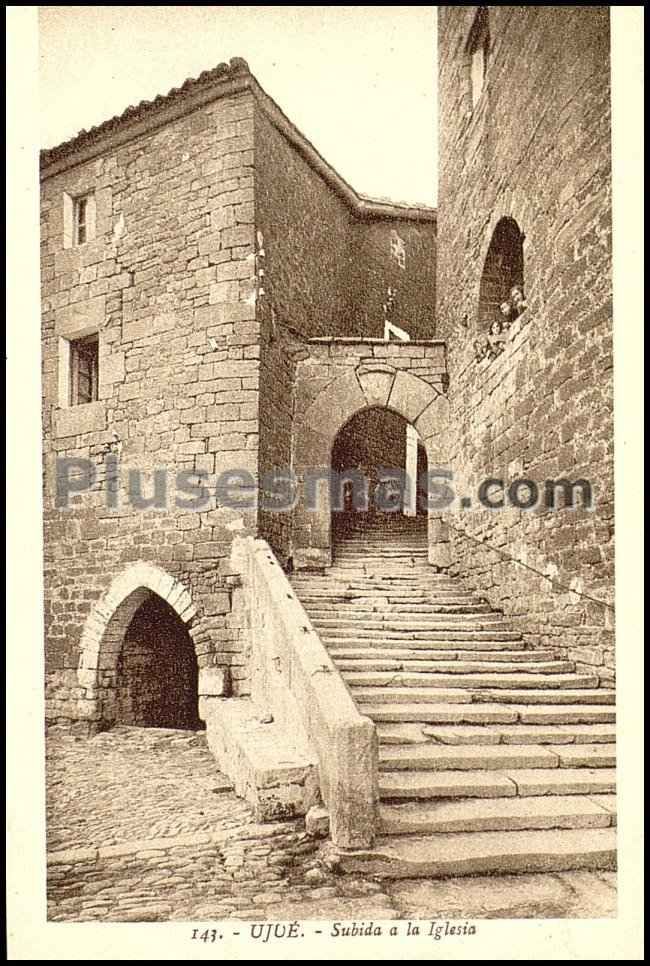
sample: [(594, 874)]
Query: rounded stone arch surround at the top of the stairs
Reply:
[(367, 386)]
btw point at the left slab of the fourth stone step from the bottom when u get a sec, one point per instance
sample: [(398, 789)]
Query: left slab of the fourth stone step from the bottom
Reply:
[(464, 757)]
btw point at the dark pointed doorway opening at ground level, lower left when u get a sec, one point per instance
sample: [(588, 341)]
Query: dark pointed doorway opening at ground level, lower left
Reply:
[(157, 674)]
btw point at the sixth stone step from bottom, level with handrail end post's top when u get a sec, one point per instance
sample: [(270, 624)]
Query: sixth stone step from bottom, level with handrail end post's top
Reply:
[(489, 714)]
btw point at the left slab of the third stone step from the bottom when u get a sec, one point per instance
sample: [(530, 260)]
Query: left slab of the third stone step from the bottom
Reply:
[(445, 784)]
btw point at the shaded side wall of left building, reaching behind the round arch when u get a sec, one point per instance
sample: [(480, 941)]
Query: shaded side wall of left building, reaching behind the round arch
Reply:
[(326, 273)]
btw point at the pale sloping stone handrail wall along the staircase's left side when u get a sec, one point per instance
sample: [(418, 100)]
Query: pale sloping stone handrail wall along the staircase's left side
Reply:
[(293, 677)]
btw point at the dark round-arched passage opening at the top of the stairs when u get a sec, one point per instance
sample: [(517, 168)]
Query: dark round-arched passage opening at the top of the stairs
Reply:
[(370, 458)]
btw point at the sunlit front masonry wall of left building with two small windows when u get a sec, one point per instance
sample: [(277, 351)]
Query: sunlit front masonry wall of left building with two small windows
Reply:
[(168, 284)]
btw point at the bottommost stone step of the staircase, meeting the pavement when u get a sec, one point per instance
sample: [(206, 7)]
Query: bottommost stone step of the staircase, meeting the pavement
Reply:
[(475, 853)]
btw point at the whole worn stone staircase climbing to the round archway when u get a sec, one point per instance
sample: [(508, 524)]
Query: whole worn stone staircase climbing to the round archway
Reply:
[(492, 757)]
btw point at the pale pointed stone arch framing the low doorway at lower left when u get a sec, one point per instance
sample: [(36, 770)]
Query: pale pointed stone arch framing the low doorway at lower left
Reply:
[(107, 624)]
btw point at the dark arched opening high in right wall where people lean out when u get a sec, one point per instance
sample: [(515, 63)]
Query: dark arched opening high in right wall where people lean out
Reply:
[(503, 270)]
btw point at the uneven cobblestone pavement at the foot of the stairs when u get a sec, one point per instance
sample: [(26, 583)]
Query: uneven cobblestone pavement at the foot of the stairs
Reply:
[(142, 827)]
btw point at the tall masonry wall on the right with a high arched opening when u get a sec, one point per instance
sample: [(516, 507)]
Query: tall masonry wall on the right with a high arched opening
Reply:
[(535, 148)]
